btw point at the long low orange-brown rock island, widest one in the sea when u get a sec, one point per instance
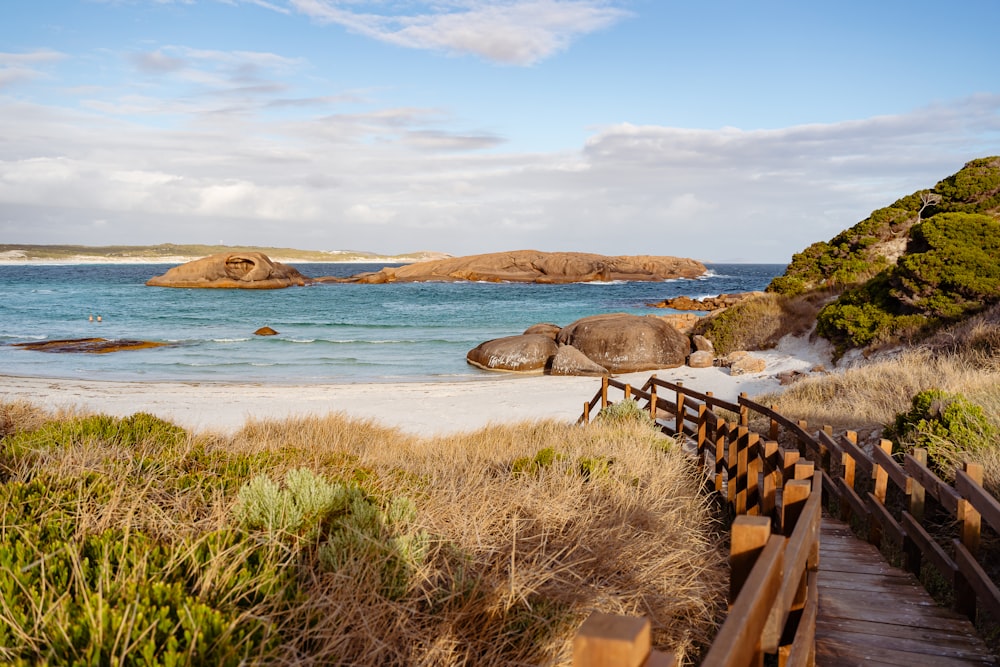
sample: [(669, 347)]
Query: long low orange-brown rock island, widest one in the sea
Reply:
[(537, 267)]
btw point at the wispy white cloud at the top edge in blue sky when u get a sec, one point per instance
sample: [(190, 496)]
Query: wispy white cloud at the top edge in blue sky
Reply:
[(509, 32)]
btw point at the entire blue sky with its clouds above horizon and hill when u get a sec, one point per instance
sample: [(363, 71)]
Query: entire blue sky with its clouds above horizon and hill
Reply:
[(723, 130)]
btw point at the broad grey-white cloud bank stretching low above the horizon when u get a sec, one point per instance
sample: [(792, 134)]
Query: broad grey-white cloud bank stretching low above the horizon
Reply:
[(399, 178)]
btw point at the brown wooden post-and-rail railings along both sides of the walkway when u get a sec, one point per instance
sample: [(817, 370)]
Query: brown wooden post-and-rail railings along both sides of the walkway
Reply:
[(776, 488)]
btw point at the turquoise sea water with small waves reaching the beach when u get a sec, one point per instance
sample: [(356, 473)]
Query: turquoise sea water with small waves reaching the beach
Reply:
[(328, 333)]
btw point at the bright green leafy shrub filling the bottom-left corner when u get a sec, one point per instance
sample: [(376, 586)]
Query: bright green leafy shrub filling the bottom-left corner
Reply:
[(119, 596)]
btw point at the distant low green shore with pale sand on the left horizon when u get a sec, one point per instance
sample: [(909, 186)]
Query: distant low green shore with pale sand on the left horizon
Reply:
[(169, 253)]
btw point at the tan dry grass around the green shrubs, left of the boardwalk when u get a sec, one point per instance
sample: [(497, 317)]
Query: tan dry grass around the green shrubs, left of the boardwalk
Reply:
[(611, 520)]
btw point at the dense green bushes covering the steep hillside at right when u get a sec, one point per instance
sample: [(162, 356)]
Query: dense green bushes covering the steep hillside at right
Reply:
[(929, 259)]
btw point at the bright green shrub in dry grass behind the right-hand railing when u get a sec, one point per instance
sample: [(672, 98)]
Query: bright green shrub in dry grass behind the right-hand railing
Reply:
[(946, 424)]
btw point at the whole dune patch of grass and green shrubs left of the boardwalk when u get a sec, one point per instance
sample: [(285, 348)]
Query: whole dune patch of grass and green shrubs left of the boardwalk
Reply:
[(337, 541)]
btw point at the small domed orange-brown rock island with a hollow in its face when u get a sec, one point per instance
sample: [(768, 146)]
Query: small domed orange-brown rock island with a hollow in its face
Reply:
[(243, 270)]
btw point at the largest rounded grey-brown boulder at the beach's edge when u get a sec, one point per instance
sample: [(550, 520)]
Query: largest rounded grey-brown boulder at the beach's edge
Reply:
[(624, 343)]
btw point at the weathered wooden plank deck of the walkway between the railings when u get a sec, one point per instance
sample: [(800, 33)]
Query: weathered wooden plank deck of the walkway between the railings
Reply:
[(871, 613)]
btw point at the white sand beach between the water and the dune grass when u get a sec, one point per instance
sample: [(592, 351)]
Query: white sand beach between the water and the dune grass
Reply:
[(422, 408)]
